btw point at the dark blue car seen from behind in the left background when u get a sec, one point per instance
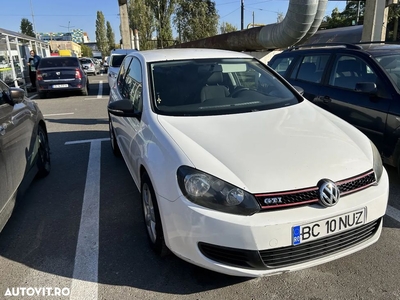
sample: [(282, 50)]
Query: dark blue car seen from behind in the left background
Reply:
[(61, 74)]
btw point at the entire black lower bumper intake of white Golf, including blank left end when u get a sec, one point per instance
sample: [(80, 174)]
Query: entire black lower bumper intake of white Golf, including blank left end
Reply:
[(291, 255)]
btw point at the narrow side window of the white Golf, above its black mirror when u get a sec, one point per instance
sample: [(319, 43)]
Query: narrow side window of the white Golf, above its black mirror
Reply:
[(133, 84)]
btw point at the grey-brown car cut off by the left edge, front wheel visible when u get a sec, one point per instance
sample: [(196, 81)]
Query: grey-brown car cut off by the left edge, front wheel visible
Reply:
[(24, 147)]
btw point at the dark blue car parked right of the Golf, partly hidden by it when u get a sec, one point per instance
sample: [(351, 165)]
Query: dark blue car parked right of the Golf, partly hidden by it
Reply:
[(358, 82)]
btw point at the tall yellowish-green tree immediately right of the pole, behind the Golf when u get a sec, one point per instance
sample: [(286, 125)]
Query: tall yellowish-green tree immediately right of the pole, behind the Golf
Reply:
[(141, 17)]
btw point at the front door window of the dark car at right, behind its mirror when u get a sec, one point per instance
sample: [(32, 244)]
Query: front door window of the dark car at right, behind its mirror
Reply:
[(349, 70)]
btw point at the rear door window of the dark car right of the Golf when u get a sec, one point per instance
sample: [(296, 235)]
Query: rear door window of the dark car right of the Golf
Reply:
[(311, 68)]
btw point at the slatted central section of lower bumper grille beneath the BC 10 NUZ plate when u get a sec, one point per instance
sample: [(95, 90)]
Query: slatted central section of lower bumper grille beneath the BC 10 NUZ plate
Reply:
[(287, 256)]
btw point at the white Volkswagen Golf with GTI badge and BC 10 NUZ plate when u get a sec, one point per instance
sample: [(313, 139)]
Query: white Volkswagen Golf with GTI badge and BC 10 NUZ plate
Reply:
[(238, 173)]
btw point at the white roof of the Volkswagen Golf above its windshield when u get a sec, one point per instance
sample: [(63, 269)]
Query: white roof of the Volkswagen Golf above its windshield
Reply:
[(188, 53)]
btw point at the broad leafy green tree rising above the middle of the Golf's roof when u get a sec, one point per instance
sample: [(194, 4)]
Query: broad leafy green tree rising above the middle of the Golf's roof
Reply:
[(196, 19)]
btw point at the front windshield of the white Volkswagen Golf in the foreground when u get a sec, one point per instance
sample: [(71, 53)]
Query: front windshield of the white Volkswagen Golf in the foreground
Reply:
[(216, 86)]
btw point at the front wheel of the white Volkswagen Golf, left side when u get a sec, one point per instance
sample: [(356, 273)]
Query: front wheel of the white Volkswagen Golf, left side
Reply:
[(152, 219)]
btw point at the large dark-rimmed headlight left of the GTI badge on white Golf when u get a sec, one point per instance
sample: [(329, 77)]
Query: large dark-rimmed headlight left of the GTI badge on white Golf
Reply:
[(208, 191)]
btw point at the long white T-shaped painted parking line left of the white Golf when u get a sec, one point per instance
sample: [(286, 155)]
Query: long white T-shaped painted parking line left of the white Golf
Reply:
[(85, 277)]
